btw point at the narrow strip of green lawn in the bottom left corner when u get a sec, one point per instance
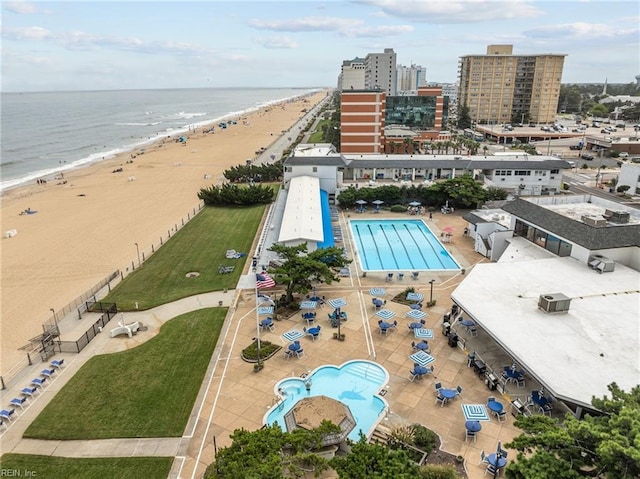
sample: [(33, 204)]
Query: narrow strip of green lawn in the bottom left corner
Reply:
[(51, 467)]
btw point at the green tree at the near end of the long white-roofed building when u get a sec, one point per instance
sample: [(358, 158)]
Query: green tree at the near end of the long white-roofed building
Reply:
[(300, 269)]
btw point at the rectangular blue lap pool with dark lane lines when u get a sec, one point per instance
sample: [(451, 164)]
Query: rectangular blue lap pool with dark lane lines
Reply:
[(399, 245)]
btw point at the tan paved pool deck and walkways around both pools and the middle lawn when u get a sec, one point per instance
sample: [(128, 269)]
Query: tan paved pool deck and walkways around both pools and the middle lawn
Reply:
[(233, 396)]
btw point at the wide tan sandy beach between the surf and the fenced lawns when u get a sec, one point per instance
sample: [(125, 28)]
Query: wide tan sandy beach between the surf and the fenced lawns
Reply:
[(88, 223)]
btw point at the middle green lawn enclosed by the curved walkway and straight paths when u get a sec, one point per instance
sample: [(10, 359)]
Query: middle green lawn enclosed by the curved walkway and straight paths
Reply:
[(148, 391)]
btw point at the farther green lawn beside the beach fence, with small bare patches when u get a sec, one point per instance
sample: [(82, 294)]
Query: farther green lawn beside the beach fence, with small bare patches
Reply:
[(200, 247)]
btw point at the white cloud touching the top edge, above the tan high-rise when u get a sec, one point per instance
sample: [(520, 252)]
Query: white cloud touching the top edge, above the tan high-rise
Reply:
[(453, 12)]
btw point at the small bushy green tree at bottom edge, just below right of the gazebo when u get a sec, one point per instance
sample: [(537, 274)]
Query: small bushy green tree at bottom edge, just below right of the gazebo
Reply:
[(374, 461)]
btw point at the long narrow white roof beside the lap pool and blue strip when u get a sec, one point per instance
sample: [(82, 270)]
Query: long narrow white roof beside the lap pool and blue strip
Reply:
[(302, 218)]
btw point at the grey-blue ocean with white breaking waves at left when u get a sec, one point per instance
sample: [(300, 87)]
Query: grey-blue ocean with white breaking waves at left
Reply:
[(47, 133)]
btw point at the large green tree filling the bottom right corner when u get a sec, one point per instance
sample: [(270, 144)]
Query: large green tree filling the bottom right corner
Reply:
[(608, 443)]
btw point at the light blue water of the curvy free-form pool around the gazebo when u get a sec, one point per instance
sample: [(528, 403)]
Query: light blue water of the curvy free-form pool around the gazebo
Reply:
[(354, 383)]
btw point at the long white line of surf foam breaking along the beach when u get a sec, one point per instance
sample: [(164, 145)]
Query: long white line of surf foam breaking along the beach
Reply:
[(96, 158)]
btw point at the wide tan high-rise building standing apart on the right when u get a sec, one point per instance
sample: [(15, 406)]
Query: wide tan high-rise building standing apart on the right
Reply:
[(499, 86)]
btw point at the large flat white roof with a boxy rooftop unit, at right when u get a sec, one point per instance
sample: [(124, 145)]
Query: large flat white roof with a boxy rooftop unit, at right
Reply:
[(575, 354)]
